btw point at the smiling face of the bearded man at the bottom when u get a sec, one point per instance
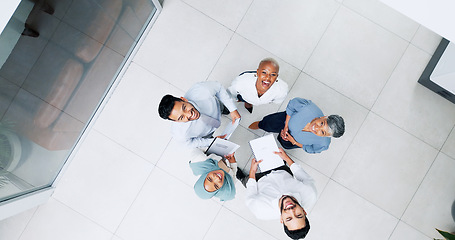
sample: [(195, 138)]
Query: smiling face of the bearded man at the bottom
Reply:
[(292, 214)]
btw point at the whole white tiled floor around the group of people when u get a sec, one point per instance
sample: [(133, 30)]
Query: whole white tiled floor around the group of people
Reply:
[(390, 176)]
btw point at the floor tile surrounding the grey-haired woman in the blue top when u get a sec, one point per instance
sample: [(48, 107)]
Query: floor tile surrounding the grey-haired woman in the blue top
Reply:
[(330, 102)]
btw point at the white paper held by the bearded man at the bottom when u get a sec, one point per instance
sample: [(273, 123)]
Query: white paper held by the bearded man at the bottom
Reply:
[(263, 149)]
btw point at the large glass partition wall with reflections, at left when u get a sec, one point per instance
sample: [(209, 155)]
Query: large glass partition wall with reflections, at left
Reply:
[(59, 58)]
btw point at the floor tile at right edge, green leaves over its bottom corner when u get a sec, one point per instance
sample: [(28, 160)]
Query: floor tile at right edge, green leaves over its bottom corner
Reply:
[(434, 199)]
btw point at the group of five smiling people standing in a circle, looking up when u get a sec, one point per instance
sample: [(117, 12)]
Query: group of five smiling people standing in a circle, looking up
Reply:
[(281, 193)]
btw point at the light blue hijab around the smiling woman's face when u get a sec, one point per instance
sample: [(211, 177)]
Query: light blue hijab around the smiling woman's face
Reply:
[(225, 193)]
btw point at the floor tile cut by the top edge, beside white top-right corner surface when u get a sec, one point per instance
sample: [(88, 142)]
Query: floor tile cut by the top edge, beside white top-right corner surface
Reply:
[(385, 16)]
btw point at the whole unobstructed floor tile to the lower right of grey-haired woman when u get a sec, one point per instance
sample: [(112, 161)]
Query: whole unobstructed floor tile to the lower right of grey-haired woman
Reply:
[(385, 165)]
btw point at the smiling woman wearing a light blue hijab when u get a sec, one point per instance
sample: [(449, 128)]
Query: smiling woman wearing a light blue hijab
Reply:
[(217, 179)]
